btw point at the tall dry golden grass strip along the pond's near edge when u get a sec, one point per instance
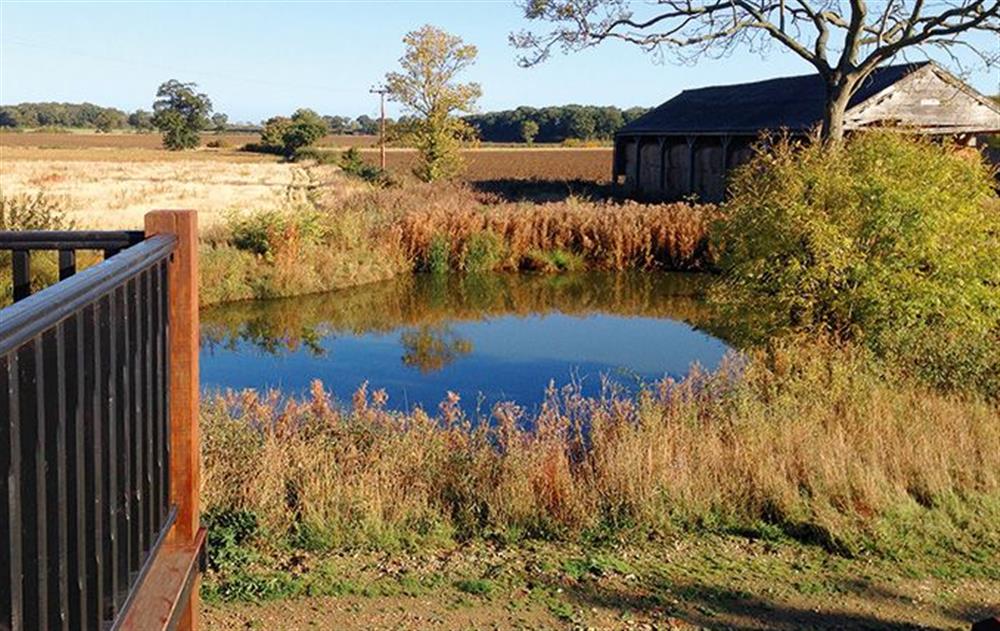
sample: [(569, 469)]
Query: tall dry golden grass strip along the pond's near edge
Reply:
[(806, 438)]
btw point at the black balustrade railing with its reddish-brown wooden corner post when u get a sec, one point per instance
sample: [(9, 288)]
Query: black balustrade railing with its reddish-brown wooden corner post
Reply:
[(98, 433)]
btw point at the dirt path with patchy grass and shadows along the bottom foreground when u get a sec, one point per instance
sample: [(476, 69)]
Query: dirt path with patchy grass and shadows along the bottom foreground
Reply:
[(717, 583)]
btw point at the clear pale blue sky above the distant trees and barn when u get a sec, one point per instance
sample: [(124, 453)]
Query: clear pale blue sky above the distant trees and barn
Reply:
[(260, 59)]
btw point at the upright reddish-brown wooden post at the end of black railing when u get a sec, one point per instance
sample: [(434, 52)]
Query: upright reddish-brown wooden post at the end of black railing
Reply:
[(185, 446)]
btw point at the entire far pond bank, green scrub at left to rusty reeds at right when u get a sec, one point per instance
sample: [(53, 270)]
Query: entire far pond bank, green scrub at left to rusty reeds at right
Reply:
[(341, 237)]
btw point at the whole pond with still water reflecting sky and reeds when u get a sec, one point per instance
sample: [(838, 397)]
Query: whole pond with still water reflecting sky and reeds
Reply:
[(503, 337)]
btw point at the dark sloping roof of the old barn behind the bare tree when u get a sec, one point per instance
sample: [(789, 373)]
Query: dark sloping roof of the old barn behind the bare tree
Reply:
[(792, 103)]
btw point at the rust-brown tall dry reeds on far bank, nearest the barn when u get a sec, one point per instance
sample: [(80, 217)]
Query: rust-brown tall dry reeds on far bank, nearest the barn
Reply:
[(604, 234)]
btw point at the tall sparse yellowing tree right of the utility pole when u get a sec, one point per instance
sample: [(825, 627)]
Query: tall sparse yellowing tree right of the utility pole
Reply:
[(427, 89)]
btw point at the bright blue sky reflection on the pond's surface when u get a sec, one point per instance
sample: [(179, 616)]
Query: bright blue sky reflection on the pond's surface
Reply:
[(511, 358)]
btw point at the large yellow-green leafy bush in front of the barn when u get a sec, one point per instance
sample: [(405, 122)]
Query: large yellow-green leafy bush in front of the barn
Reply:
[(889, 240)]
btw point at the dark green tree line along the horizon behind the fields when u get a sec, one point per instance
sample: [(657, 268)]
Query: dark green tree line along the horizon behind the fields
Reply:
[(523, 124)]
